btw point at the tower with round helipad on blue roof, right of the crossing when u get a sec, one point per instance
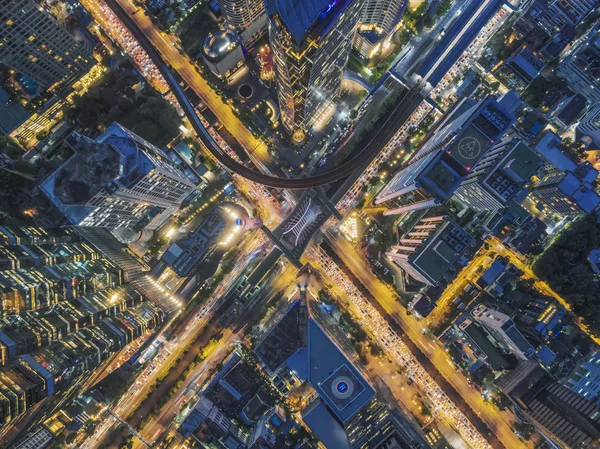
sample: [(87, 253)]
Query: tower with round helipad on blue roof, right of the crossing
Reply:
[(443, 162)]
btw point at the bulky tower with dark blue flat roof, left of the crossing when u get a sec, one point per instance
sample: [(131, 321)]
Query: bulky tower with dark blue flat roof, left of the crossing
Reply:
[(118, 180)]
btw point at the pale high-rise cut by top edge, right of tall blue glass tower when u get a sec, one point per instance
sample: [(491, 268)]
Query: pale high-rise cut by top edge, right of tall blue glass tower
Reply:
[(378, 21)]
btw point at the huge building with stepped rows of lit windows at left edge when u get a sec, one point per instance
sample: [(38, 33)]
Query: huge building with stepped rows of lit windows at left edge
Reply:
[(65, 308)]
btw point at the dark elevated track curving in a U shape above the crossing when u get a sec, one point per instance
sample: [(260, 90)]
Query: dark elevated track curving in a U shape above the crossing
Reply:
[(407, 103)]
